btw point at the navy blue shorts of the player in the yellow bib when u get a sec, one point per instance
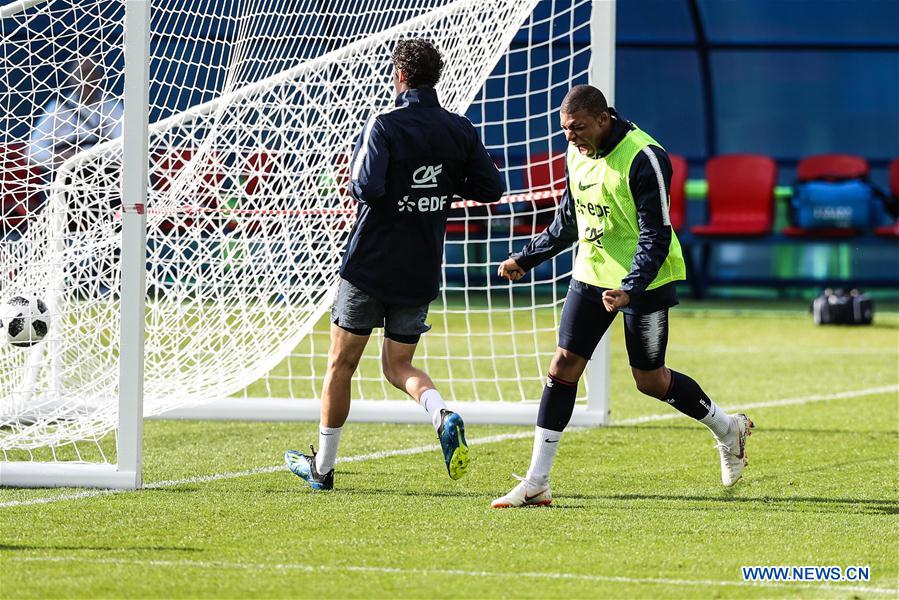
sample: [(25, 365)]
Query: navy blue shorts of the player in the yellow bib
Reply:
[(585, 320)]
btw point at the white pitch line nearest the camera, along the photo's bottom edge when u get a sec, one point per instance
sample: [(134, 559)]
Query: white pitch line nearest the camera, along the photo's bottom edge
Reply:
[(838, 587)]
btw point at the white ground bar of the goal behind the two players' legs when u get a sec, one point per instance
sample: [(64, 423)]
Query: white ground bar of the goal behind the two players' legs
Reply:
[(375, 411)]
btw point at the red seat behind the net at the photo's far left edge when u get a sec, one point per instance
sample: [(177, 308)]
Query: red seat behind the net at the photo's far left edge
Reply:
[(20, 188)]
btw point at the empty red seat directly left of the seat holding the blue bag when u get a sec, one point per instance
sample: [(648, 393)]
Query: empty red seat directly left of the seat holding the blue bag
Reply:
[(740, 195)]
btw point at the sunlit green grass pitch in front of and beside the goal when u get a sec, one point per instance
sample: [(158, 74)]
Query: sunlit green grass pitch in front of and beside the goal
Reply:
[(639, 509)]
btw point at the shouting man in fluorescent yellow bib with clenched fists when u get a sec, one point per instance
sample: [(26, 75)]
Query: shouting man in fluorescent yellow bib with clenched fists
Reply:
[(615, 207)]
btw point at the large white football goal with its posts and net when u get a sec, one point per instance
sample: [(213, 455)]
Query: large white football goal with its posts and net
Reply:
[(221, 223)]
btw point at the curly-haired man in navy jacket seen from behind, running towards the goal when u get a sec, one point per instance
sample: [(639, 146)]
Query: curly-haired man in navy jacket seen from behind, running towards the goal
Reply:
[(408, 164)]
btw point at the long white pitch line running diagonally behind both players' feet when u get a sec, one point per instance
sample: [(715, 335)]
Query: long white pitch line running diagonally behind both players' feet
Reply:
[(433, 447)]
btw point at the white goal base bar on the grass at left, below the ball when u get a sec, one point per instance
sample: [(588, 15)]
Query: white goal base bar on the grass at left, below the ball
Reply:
[(28, 474)]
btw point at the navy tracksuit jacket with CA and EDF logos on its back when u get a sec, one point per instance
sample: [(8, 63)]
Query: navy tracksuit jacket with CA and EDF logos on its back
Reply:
[(408, 164)]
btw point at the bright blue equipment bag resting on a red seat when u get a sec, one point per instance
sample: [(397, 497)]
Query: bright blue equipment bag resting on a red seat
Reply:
[(823, 204)]
